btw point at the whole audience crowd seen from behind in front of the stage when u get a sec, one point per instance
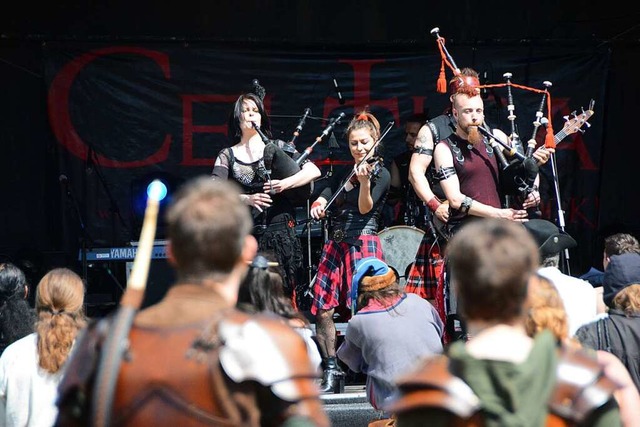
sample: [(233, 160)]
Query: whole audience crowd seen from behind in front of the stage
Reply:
[(218, 351)]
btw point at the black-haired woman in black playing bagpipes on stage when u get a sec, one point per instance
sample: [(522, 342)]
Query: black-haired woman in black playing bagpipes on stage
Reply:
[(273, 211)]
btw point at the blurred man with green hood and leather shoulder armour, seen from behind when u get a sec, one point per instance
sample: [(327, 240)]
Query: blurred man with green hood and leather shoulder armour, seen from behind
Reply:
[(501, 376)]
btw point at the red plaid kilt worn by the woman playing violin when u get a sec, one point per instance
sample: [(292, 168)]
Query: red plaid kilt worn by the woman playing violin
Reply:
[(332, 287)]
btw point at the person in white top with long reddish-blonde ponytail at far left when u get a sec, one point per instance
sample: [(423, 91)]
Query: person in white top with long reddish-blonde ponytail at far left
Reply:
[(32, 367)]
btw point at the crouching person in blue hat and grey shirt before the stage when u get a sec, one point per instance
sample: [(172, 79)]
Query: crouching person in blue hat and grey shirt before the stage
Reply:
[(389, 331)]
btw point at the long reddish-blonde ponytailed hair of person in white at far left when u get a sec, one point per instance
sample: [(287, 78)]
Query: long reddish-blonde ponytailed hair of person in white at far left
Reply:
[(59, 304)]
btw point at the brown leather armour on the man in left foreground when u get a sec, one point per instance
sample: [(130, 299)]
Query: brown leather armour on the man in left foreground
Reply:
[(230, 370)]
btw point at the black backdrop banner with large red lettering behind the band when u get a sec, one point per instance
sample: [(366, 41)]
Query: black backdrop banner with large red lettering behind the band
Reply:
[(122, 115)]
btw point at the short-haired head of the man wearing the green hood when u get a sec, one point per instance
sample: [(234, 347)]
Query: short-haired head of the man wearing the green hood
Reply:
[(491, 261)]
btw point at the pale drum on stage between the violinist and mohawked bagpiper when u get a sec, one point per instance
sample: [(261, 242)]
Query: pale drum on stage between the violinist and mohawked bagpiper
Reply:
[(399, 246)]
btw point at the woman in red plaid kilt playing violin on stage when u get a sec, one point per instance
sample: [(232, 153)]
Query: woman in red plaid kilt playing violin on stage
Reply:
[(353, 235)]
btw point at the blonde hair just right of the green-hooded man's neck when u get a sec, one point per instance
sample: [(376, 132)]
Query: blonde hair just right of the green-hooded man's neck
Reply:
[(546, 309)]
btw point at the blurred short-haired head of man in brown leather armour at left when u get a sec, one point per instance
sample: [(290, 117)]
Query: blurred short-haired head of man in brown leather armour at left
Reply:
[(209, 229)]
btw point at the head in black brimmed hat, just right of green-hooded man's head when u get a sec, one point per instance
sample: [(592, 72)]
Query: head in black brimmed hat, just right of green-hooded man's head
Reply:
[(550, 240)]
